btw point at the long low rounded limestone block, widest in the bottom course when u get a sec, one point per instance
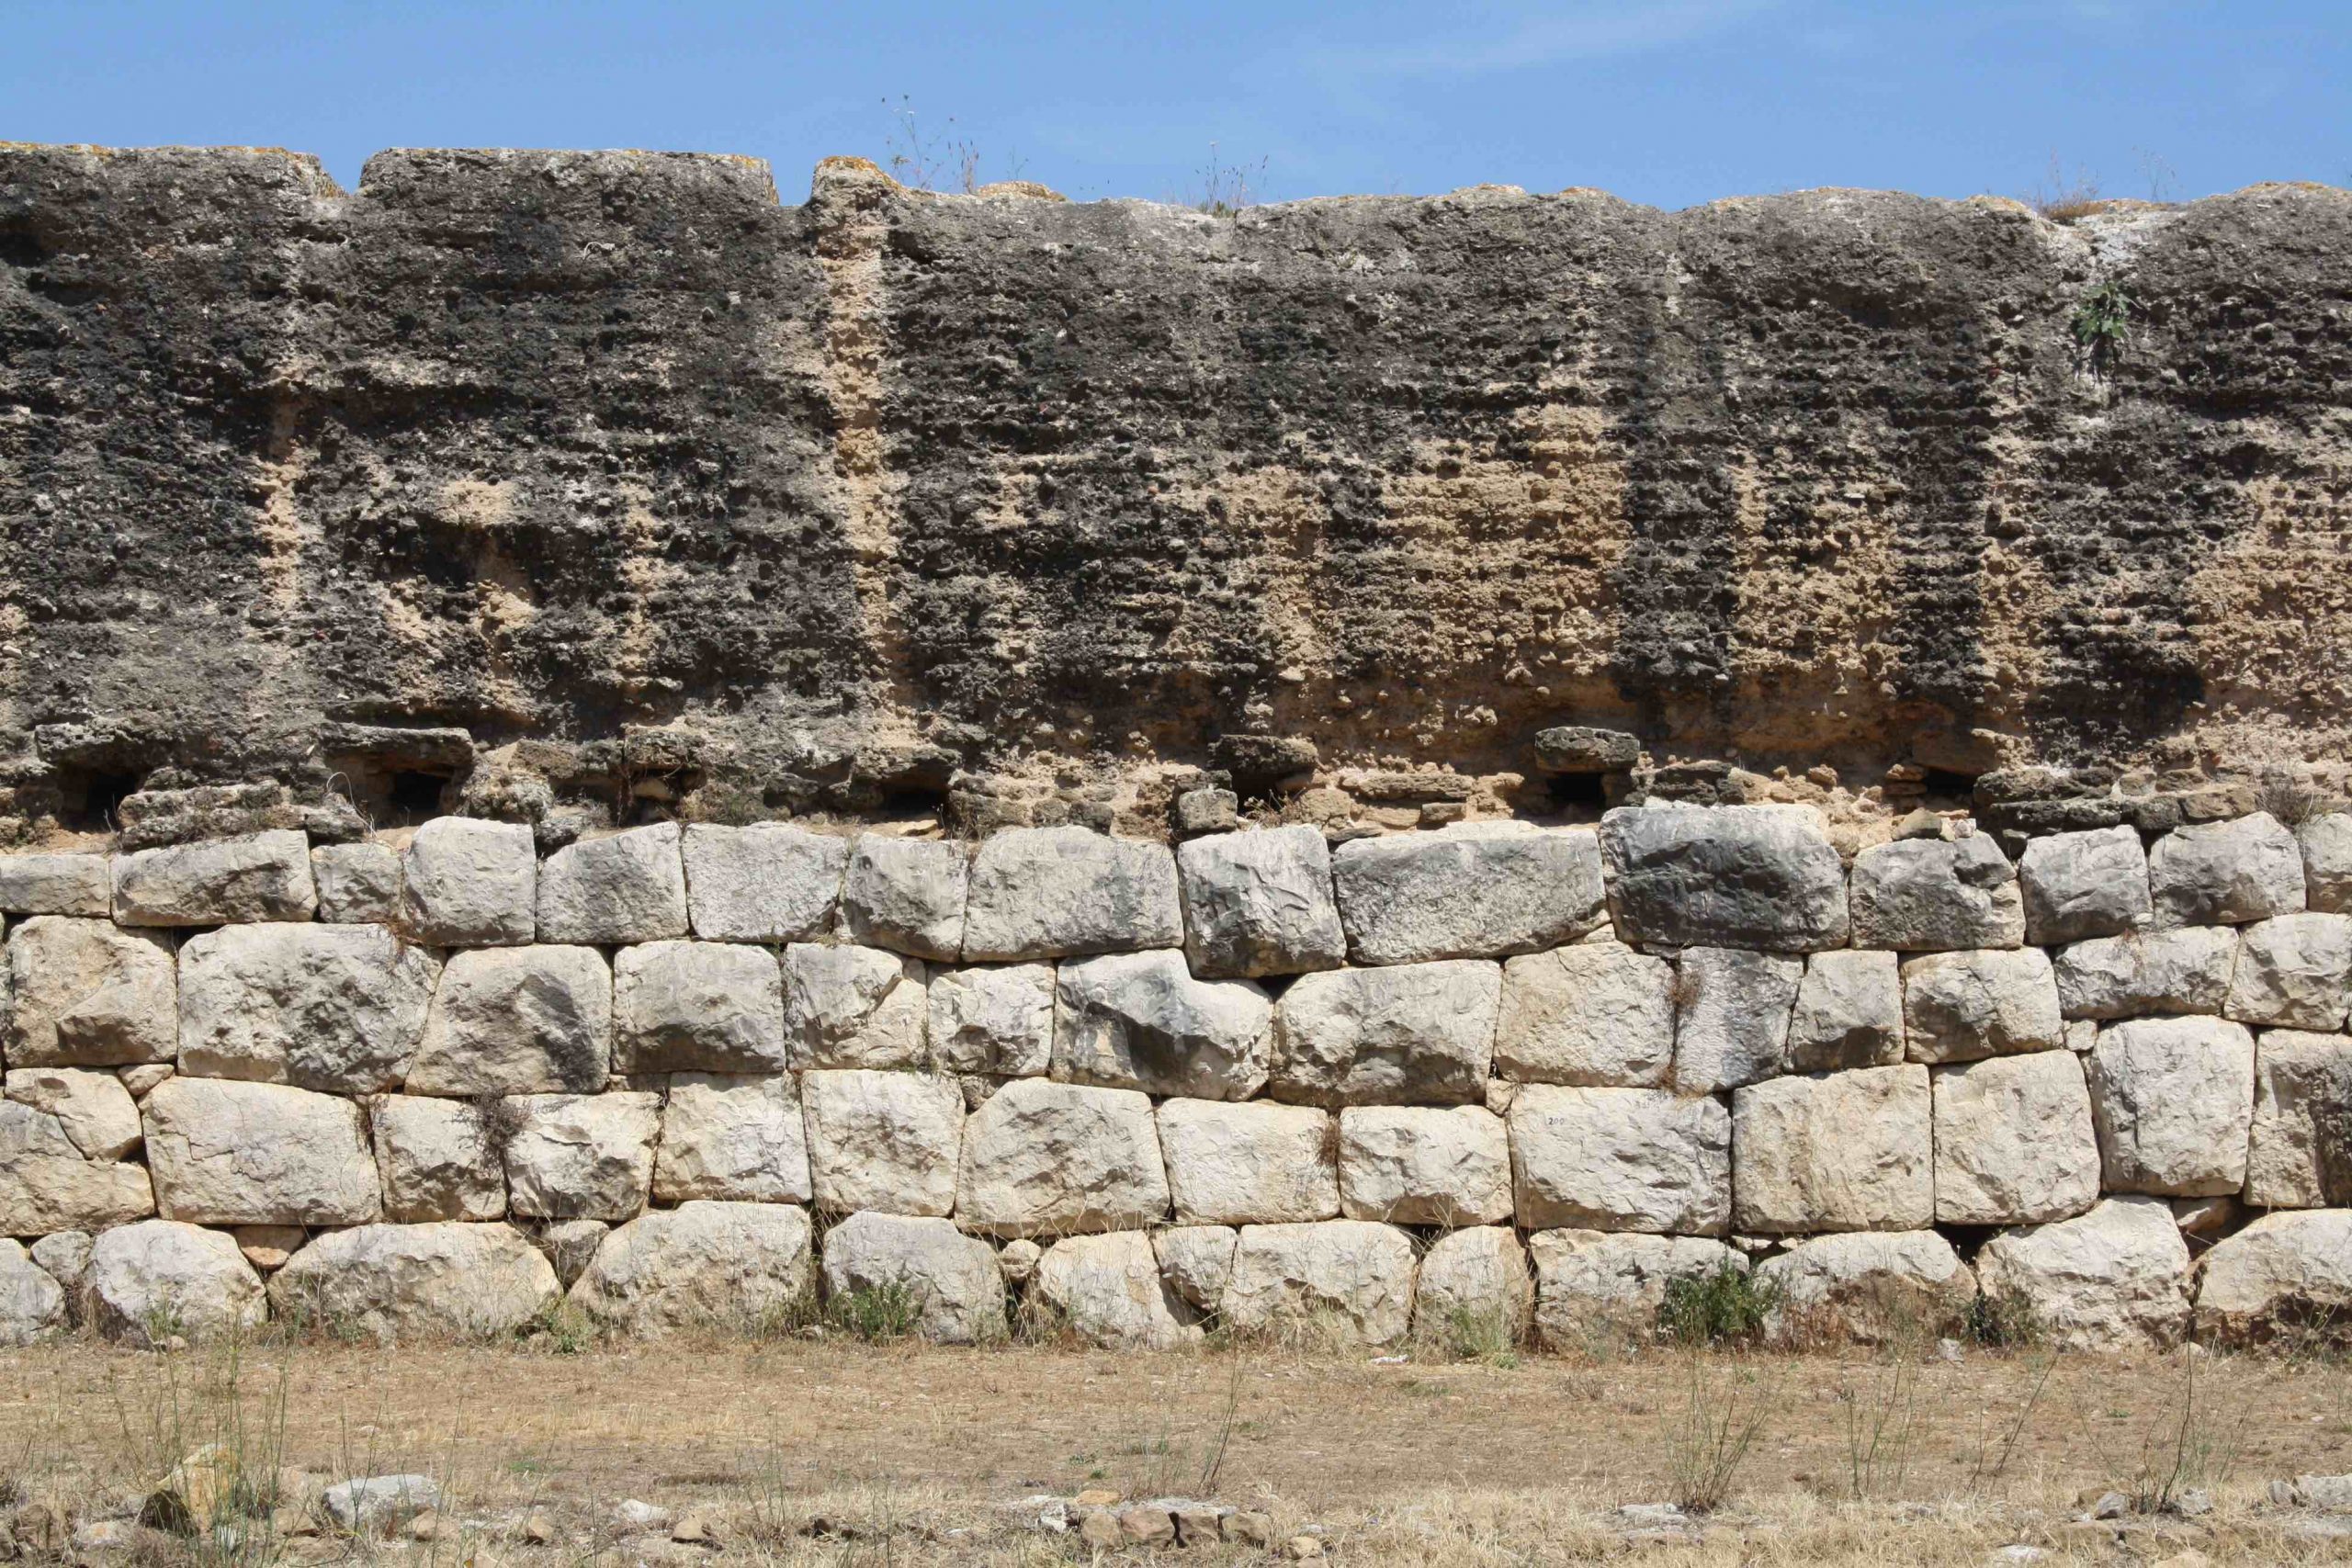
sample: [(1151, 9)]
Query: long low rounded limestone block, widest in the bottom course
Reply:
[(417, 1282)]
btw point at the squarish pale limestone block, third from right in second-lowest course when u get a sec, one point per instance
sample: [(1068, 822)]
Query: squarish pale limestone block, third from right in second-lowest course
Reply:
[(2014, 1141)]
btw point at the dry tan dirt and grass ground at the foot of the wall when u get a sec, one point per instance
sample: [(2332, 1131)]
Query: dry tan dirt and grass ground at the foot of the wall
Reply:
[(853, 1454)]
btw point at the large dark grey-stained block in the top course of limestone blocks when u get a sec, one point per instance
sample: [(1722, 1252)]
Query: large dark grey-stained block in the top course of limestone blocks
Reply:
[(1725, 878)]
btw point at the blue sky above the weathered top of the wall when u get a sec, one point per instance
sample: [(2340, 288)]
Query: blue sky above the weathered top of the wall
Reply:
[(1664, 102)]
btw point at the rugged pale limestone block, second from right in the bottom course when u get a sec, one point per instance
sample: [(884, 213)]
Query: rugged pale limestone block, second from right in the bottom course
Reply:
[(2111, 1280)]
